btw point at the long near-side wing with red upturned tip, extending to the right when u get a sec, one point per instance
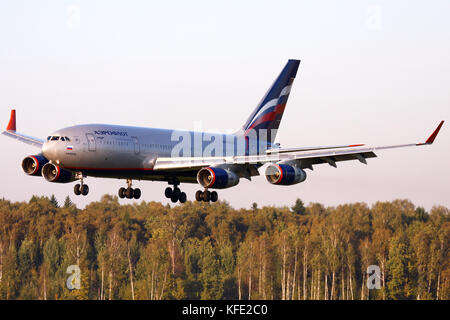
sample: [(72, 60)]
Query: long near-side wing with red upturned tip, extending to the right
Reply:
[(303, 157)]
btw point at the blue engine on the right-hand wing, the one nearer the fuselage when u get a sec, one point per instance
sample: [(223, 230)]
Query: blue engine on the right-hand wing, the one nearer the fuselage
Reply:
[(217, 178)]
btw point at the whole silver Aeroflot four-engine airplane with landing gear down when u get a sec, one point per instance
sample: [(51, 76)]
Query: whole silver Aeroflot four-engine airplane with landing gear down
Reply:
[(214, 161)]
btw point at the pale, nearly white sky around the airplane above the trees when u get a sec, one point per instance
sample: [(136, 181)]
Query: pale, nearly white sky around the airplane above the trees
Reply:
[(374, 72)]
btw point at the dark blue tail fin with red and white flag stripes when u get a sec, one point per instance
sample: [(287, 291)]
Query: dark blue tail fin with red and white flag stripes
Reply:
[(269, 111)]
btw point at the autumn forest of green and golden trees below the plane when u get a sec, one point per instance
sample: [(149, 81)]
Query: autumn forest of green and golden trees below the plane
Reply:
[(213, 251)]
